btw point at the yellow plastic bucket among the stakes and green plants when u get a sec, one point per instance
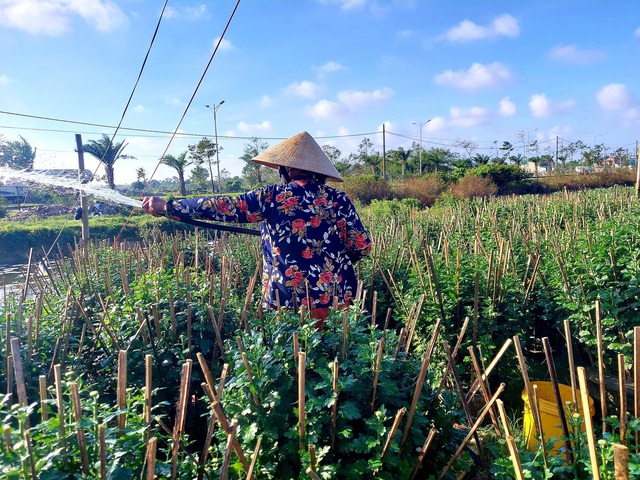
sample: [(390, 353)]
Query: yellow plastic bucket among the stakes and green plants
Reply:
[(551, 423)]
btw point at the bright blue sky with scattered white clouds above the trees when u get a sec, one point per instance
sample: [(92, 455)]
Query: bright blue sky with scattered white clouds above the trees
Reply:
[(434, 71)]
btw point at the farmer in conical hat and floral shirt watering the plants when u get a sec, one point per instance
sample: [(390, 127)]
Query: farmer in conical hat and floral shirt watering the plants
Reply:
[(311, 233)]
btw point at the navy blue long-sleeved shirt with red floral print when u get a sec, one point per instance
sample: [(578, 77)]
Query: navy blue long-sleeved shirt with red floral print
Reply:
[(311, 237)]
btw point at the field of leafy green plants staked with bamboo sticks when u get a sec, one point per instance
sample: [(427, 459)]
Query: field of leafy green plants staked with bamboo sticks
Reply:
[(155, 360)]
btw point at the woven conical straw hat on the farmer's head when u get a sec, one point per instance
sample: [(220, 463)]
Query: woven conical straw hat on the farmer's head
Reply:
[(300, 151)]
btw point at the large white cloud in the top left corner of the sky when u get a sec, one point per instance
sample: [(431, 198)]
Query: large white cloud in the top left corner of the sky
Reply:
[(52, 17)]
